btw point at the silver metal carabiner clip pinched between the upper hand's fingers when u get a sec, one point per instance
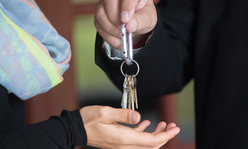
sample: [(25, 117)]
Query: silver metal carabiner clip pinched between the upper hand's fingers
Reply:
[(127, 45)]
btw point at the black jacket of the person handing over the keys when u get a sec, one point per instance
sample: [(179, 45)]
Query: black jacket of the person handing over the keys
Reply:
[(206, 40)]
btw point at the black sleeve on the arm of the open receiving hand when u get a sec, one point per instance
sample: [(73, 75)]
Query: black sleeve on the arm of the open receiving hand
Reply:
[(59, 132)]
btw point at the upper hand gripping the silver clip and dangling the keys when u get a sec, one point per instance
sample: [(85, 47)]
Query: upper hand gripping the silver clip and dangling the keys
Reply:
[(140, 17)]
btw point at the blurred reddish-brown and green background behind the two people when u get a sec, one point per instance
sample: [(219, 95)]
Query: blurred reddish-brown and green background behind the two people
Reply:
[(86, 84)]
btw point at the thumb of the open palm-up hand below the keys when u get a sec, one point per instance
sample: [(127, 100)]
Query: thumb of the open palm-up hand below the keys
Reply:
[(123, 115)]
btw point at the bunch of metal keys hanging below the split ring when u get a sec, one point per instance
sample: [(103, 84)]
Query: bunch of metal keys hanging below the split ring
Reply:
[(129, 98)]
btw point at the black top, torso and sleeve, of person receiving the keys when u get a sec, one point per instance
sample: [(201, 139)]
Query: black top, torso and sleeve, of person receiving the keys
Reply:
[(59, 132)]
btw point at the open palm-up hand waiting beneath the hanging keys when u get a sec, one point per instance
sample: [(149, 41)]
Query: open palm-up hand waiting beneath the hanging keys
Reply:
[(103, 131)]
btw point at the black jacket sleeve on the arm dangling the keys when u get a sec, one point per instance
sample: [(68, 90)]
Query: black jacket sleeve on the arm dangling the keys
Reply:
[(166, 59)]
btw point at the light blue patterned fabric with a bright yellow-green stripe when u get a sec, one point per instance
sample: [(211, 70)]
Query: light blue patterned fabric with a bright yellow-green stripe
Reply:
[(33, 56)]
